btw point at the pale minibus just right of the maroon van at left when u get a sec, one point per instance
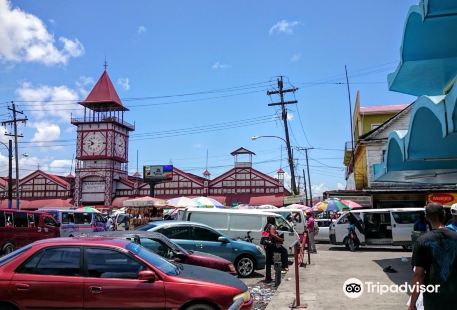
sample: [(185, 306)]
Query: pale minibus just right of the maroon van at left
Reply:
[(74, 223)]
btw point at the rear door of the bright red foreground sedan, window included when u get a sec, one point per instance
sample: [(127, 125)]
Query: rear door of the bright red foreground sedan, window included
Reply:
[(50, 278)]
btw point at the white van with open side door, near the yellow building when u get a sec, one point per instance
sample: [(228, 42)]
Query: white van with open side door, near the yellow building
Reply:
[(378, 226)]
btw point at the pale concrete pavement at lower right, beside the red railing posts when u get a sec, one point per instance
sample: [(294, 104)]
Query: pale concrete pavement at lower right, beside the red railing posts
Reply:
[(321, 283)]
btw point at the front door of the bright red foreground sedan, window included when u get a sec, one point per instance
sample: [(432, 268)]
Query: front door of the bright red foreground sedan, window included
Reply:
[(112, 282)]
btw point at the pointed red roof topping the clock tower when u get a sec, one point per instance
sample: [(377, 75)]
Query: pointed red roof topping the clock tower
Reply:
[(103, 96)]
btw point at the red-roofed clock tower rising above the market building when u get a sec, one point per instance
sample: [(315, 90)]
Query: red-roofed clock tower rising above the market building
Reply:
[(101, 145)]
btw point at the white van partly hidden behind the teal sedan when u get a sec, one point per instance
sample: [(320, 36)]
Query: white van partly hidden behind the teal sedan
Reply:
[(238, 223)]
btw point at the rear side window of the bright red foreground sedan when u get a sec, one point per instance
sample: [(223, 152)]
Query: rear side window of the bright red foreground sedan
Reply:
[(61, 261)]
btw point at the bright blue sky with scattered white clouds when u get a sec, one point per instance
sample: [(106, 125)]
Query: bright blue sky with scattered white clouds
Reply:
[(195, 76)]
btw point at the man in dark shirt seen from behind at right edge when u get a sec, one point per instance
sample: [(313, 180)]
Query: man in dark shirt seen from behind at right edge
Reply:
[(435, 262)]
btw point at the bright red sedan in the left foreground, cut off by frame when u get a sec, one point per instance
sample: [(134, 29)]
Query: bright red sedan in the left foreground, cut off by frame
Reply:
[(98, 272)]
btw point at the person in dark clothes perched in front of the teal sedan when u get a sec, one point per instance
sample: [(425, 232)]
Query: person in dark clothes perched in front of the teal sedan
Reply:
[(272, 243)]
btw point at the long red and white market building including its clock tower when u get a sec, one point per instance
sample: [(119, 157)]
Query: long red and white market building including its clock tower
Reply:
[(101, 177)]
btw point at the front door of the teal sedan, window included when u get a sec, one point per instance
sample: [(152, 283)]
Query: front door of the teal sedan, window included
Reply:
[(206, 240)]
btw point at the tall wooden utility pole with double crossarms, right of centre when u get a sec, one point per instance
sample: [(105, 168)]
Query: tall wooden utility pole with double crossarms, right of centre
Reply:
[(281, 91)]
